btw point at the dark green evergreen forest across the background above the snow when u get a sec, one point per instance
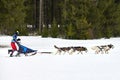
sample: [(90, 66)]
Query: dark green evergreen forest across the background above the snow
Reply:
[(73, 19)]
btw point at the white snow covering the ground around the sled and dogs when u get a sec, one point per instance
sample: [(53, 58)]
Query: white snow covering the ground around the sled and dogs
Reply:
[(89, 66)]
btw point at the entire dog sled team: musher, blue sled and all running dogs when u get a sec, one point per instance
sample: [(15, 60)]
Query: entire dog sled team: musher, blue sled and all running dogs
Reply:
[(25, 50)]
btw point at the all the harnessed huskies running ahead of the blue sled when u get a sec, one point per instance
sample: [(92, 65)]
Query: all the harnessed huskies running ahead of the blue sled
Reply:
[(81, 49)]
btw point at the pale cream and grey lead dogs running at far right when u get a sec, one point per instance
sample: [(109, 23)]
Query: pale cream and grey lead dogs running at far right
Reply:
[(102, 48)]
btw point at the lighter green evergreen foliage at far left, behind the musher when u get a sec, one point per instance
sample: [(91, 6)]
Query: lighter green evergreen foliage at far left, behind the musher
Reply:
[(14, 15)]
